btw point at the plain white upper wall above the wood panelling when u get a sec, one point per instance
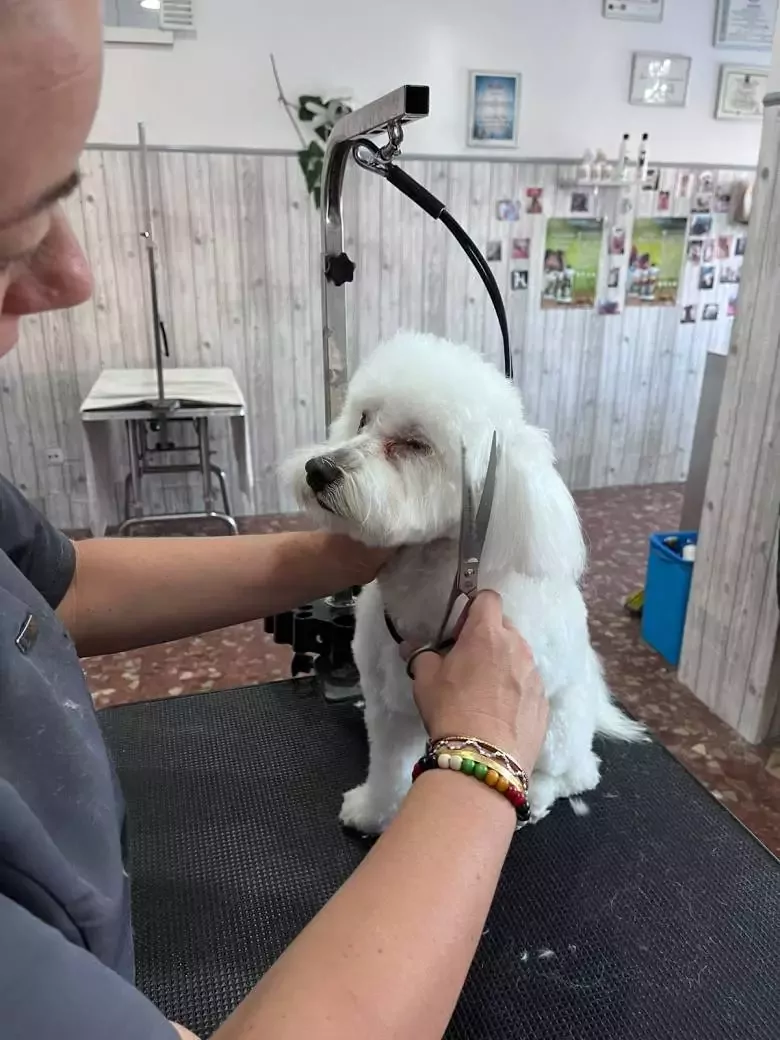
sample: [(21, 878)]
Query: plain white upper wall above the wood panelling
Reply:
[(218, 90)]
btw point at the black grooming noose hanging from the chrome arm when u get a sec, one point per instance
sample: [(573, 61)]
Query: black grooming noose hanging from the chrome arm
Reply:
[(377, 161)]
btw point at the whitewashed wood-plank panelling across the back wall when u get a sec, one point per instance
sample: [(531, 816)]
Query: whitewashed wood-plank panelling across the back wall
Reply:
[(240, 280)]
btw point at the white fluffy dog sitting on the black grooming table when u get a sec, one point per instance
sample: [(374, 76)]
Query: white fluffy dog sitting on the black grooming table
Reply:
[(391, 475)]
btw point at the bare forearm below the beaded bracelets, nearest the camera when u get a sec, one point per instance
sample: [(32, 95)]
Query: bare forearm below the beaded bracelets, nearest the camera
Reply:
[(388, 956)]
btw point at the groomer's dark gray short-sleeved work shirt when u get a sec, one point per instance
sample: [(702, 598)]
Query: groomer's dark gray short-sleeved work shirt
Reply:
[(66, 944)]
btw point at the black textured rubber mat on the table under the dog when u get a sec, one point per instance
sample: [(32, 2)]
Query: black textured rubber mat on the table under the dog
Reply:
[(655, 916)]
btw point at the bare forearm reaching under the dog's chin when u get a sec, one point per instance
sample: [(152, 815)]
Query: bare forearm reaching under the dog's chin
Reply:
[(129, 593)]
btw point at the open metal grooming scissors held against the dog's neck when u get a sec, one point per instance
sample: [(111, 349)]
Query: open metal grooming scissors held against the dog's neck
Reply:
[(475, 525)]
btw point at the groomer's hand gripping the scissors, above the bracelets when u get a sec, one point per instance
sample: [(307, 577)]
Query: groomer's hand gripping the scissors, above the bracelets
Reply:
[(487, 687)]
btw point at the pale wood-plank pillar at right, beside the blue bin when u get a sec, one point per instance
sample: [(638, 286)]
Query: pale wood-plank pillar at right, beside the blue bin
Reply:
[(731, 657)]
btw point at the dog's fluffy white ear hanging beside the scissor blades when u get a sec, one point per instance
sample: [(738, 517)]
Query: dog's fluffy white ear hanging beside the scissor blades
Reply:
[(535, 528)]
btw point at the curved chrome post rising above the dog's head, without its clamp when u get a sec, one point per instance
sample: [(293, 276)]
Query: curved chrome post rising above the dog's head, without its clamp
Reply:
[(385, 115)]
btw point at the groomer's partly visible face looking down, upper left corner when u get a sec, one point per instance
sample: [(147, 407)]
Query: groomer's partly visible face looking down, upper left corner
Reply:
[(50, 66)]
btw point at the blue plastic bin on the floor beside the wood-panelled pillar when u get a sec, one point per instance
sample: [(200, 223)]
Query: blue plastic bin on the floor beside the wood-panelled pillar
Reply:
[(667, 590)]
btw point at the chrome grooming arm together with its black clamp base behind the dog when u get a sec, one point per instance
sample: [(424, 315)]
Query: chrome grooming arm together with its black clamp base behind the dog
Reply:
[(321, 634)]
